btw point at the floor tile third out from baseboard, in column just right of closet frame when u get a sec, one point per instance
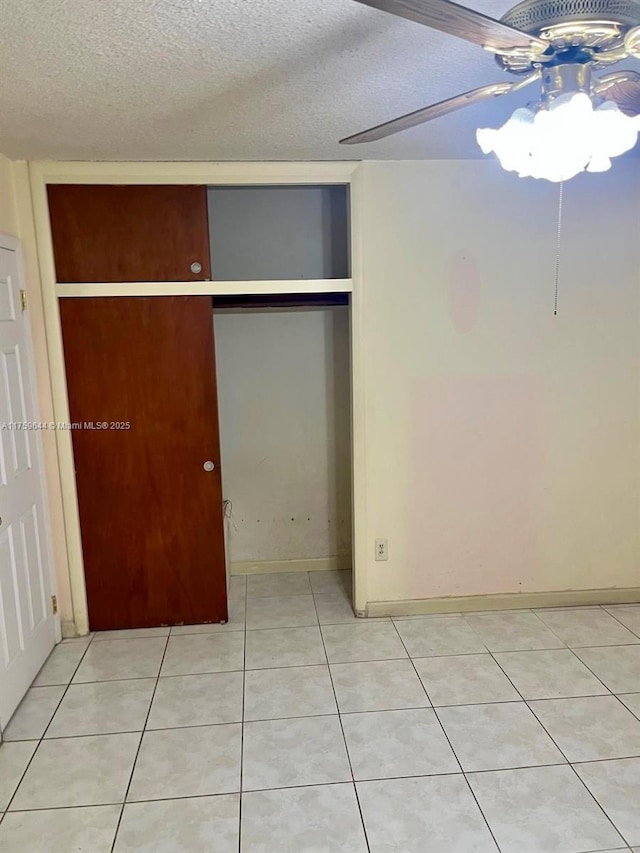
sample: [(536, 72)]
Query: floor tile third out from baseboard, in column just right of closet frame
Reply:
[(493, 737)]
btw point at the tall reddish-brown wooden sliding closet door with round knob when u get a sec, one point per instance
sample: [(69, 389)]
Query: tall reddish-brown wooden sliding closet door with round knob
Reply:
[(142, 394)]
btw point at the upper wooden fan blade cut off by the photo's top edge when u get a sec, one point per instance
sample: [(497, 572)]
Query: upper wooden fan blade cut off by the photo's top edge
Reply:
[(462, 22)]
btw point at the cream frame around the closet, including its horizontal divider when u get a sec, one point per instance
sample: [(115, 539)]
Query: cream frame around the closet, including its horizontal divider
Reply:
[(43, 173)]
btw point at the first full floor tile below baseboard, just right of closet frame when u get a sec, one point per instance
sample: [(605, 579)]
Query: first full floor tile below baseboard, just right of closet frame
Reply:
[(439, 635)]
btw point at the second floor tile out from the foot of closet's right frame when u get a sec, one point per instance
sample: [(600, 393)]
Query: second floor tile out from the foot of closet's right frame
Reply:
[(377, 686)]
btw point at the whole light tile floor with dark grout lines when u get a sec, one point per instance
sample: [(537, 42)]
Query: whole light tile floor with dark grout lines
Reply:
[(298, 728)]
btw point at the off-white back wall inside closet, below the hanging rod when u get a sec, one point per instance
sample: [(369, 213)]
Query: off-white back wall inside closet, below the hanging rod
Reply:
[(284, 403)]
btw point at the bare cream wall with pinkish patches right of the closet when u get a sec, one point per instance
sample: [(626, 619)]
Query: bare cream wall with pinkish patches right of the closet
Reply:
[(502, 443)]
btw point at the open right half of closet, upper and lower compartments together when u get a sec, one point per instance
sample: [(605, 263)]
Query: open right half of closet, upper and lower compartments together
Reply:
[(283, 376)]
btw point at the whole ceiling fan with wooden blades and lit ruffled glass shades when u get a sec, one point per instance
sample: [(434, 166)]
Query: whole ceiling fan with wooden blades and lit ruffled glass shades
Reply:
[(579, 121)]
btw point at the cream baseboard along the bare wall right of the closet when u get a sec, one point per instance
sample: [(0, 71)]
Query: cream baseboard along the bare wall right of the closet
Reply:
[(506, 601)]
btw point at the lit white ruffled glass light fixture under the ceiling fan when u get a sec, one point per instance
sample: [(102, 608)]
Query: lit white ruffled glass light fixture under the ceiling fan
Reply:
[(569, 130)]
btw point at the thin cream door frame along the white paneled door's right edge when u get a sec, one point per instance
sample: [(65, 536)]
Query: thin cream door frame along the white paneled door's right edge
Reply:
[(13, 244)]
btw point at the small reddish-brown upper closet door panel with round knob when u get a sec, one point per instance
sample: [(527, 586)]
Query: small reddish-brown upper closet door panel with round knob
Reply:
[(129, 233)]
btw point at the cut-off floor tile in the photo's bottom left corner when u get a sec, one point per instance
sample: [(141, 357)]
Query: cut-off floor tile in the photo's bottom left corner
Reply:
[(90, 830)]
